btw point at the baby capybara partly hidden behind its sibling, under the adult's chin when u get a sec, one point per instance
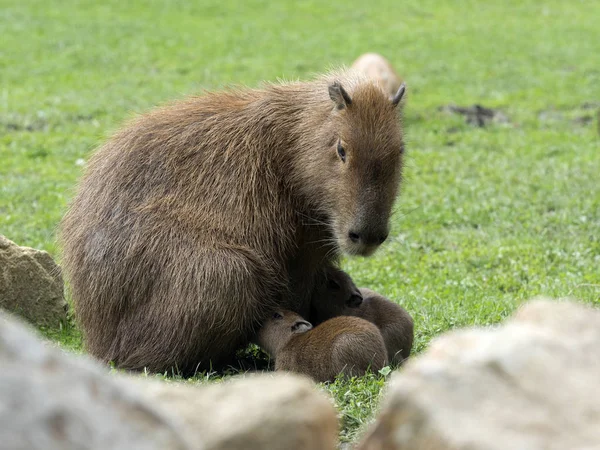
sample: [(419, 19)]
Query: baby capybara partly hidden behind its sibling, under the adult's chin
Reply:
[(394, 322)]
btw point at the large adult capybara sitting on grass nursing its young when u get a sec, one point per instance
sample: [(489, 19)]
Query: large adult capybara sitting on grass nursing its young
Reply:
[(197, 219)]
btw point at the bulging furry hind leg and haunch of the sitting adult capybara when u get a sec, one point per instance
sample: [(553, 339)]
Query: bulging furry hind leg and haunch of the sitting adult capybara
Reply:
[(200, 311)]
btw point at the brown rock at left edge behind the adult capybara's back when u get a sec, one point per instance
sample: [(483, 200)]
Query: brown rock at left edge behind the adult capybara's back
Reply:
[(31, 284)]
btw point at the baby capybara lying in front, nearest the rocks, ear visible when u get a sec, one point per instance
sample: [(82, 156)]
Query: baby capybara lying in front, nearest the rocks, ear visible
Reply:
[(342, 345)]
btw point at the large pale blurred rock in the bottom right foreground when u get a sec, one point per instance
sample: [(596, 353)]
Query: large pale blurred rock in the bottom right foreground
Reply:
[(533, 383)]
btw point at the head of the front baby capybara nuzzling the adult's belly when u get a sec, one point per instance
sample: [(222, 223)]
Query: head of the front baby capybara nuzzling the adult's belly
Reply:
[(279, 328)]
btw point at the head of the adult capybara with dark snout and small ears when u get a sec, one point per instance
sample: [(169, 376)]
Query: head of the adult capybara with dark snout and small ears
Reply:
[(363, 166)]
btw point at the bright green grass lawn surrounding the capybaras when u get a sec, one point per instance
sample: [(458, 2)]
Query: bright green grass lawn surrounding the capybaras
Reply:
[(488, 217)]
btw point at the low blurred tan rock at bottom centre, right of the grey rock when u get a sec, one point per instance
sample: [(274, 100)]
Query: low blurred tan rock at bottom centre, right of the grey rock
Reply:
[(271, 412)]
